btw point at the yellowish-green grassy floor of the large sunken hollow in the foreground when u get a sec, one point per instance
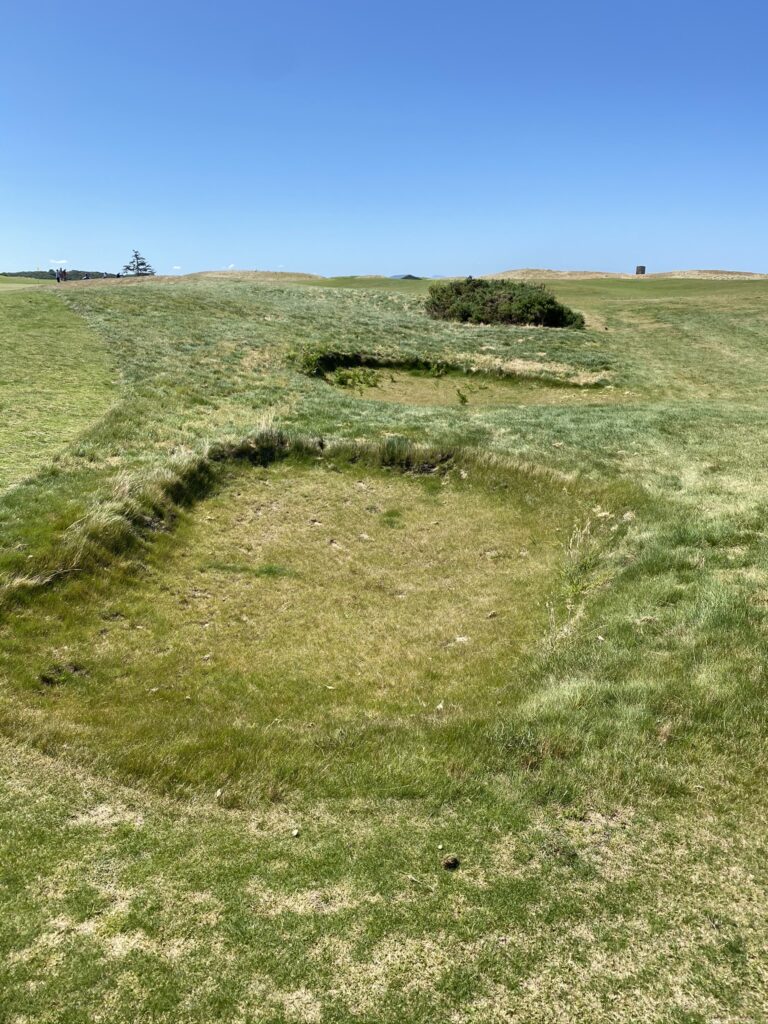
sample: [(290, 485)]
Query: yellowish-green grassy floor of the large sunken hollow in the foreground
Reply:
[(260, 653)]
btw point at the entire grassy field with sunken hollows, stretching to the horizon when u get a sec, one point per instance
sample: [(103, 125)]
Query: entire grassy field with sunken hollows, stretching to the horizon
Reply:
[(271, 652)]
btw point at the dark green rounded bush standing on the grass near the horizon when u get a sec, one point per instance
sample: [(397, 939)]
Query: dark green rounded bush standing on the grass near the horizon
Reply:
[(480, 302)]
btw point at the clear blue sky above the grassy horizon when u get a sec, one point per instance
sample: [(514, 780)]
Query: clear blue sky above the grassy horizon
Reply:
[(428, 139)]
